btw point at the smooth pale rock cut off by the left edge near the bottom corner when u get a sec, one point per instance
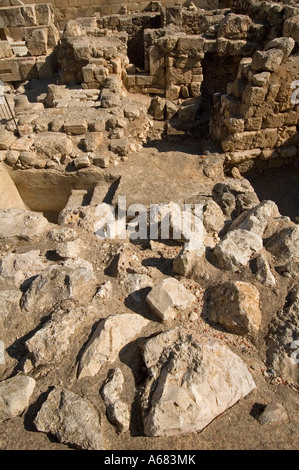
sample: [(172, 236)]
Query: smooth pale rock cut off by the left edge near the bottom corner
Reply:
[(15, 394)]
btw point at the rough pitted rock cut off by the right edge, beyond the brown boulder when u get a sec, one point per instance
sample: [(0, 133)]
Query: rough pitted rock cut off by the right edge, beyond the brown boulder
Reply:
[(283, 339)]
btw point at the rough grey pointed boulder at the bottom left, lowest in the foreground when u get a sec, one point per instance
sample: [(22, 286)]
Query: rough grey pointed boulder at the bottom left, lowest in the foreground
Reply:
[(71, 419)]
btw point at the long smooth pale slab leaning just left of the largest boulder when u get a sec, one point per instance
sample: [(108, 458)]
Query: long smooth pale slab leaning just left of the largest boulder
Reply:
[(110, 336)]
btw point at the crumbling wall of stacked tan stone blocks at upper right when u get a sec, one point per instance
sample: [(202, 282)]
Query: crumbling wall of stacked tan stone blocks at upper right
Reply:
[(257, 119)]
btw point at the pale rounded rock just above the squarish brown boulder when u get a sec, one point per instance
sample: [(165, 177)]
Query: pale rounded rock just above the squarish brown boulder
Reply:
[(236, 249)]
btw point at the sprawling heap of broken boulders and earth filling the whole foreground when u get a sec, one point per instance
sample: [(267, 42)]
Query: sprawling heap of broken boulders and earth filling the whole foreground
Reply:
[(75, 308)]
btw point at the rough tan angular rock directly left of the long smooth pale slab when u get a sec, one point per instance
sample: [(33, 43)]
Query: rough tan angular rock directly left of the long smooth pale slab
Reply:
[(51, 343)]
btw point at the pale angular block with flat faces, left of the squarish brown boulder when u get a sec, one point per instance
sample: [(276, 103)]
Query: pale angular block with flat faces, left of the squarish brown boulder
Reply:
[(168, 298)]
